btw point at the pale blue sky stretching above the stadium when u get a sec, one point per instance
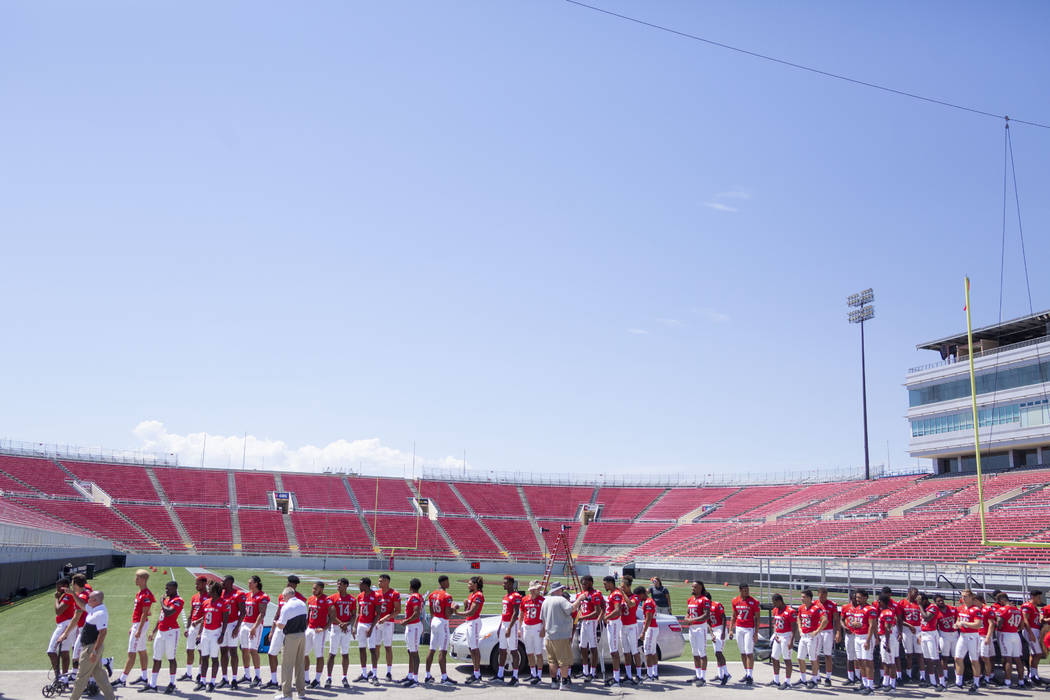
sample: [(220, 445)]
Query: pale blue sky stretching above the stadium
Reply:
[(558, 241)]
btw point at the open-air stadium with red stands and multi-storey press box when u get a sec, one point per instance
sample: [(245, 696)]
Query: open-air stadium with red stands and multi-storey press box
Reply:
[(67, 511)]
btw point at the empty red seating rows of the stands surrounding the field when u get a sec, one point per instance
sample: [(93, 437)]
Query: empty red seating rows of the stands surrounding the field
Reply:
[(633, 523)]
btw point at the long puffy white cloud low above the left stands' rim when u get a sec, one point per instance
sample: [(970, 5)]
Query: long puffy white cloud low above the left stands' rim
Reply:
[(365, 455)]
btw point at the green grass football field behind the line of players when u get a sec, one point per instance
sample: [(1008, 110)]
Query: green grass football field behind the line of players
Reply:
[(31, 622)]
